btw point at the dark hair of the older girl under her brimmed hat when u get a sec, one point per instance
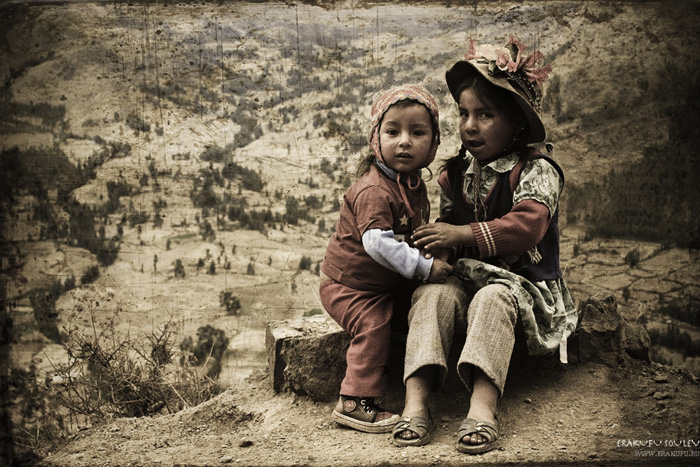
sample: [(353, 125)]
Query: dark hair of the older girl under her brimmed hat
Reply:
[(501, 98)]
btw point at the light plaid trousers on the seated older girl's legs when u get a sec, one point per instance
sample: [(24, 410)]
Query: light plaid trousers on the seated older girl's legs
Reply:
[(440, 310)]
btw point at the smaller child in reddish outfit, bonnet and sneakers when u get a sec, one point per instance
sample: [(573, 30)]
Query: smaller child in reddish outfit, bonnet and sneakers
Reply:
[(367, 267)]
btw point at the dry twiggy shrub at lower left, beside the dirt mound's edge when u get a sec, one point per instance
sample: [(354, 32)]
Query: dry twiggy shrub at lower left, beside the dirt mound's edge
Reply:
[(127, 378)]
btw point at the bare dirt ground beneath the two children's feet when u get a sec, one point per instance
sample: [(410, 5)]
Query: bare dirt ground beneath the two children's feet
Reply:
[(588, 414)]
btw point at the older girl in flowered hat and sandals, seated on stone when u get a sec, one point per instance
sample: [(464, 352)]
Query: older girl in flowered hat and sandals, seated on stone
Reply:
[(498, 221)]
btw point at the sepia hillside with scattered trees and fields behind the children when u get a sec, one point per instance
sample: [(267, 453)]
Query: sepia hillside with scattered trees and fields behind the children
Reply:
[(171, 172)]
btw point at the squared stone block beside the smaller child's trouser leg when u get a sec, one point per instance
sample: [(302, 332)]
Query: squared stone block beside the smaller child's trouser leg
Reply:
[(307, 356)]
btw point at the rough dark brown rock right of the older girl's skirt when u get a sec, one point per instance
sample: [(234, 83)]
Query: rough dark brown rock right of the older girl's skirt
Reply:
[(603, 336)]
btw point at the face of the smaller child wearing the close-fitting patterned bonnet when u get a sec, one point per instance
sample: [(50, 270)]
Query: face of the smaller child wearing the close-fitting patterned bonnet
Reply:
[(406, 137)]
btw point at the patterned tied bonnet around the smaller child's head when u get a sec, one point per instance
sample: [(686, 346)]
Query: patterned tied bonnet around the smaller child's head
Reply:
[(385, 99)]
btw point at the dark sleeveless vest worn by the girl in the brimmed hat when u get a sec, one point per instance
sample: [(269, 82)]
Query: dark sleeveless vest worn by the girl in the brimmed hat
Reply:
[(498, 204)]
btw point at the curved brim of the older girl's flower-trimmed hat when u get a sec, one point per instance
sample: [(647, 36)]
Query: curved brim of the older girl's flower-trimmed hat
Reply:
[(465, 69)]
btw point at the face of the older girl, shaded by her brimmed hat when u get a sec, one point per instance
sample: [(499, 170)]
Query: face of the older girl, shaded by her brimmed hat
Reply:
[(486, 131)]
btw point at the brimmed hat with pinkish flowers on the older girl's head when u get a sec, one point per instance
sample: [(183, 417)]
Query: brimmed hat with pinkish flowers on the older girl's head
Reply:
[(508, 68)]
